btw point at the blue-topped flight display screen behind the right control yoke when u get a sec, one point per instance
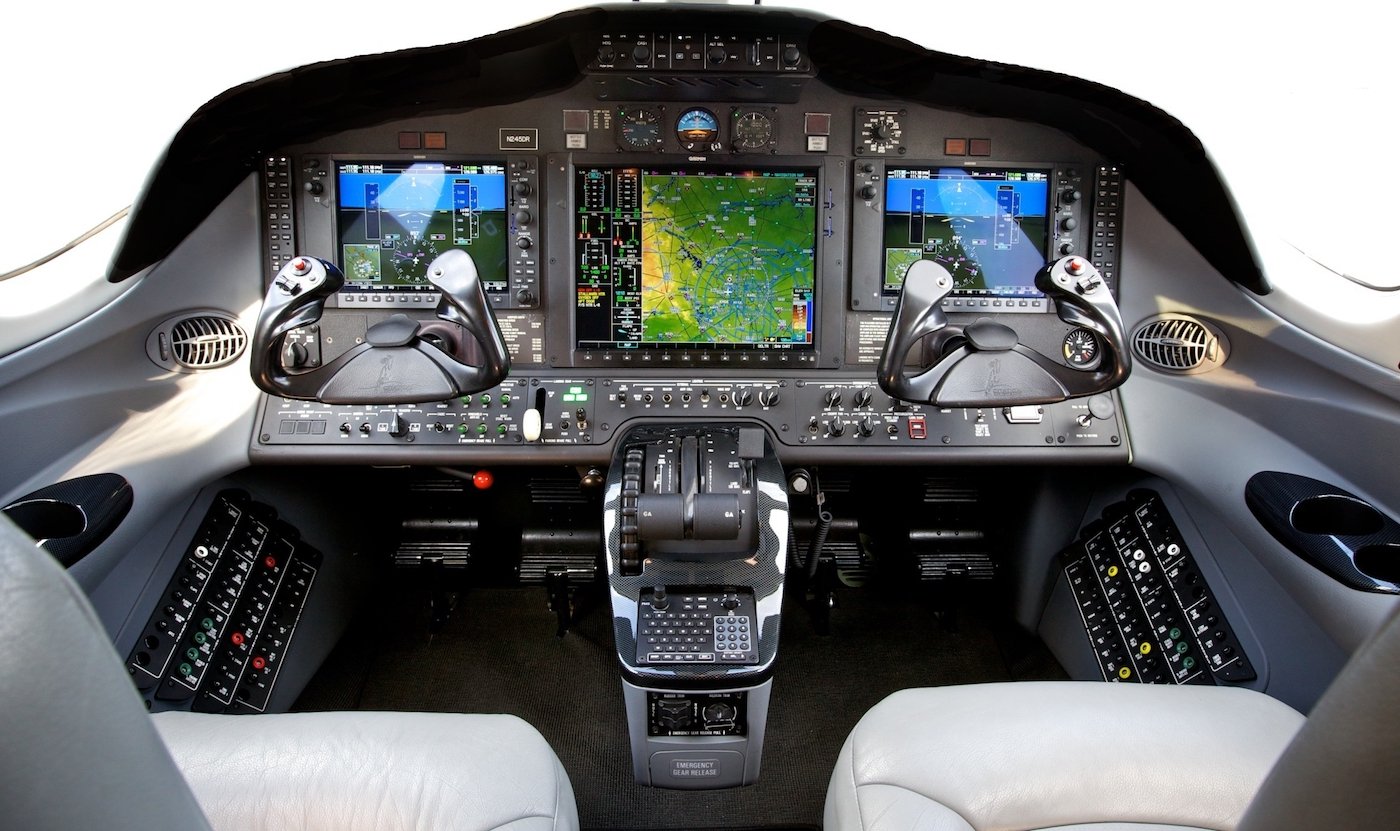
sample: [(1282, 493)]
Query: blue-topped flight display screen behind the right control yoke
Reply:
[(988, 227)]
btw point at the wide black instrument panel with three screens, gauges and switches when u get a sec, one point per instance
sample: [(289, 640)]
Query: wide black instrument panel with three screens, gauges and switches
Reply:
[(677, 254)]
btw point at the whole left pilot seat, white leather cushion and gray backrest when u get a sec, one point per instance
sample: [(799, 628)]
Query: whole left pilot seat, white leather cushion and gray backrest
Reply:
[(79, 751)]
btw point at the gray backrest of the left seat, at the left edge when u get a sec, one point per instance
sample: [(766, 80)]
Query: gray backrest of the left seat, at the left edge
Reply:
[(76, 745)]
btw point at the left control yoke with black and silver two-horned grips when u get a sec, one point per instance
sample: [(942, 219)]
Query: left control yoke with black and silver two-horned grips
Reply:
[(395, 364)]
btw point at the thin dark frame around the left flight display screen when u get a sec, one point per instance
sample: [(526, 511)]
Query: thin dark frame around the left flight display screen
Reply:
[(495, 276)]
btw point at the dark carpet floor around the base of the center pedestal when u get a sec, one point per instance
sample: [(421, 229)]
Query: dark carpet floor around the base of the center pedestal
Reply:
[(499, 654)]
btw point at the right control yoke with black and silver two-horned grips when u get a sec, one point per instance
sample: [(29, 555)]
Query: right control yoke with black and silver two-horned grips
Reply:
[(985, 364)]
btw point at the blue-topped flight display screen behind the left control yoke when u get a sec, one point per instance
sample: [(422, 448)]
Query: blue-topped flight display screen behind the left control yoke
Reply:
[(398, 218)]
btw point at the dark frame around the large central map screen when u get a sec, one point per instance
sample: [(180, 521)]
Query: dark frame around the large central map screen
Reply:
[(589, 352)]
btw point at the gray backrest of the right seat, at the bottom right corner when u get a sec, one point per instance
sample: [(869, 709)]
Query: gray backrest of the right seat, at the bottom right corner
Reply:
[(1343, 770)]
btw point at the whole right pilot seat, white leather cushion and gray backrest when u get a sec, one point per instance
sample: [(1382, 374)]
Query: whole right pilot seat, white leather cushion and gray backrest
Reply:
[(1121, 758)]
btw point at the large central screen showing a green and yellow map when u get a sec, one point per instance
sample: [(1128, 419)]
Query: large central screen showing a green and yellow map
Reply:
[(695, 258)]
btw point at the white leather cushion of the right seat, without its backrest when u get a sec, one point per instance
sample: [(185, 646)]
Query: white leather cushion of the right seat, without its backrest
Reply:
[(1048, 755)]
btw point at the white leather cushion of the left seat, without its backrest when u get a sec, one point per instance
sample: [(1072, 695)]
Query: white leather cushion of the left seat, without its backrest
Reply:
[(370, 770)]
